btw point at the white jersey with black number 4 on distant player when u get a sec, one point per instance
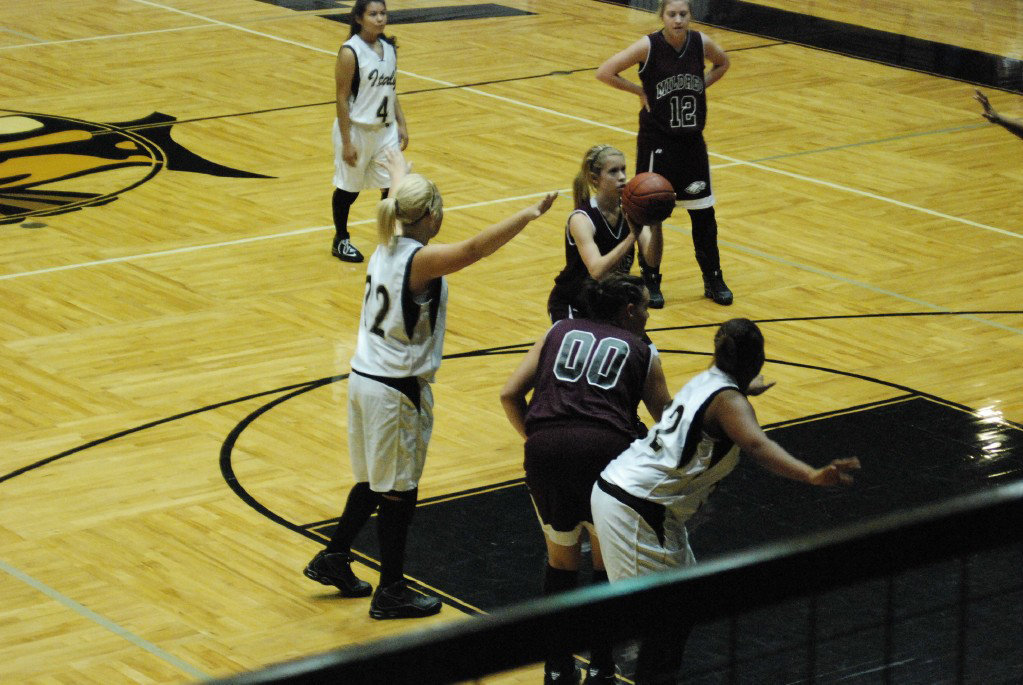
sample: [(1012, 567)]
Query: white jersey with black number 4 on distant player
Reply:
[(374, 87)]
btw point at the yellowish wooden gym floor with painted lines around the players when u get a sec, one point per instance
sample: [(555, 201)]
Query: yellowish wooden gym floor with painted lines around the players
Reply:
[(166, 279)]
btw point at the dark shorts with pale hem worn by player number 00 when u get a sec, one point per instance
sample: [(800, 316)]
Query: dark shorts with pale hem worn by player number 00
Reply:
[(562, 466)]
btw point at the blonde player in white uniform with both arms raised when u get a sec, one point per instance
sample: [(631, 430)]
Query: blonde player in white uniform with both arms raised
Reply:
[(390, 402)]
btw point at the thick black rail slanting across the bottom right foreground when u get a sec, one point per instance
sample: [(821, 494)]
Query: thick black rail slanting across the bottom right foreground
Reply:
[(715, 589)]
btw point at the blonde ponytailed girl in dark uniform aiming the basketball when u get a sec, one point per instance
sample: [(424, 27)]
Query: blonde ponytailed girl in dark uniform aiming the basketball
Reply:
[(599, 239)]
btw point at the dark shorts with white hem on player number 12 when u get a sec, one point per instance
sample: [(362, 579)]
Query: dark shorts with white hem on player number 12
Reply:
[(682, 160)]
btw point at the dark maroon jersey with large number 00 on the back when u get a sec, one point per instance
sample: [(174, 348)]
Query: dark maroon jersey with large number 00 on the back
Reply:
[(591, 372)]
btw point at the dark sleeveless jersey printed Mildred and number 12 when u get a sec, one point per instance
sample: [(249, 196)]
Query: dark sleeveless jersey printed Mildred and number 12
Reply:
[(674, 82)]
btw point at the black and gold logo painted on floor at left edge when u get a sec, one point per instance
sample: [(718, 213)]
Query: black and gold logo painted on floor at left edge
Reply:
[(55, 165)]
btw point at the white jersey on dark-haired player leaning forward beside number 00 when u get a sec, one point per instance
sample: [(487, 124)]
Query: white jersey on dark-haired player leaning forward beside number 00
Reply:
[(678, 465)]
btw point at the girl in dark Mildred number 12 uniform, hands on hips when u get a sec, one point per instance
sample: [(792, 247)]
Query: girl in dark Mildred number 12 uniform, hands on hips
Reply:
[(673, 95)]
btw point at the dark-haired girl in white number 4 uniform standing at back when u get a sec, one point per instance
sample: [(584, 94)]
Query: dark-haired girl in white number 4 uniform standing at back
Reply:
[(370, 119)]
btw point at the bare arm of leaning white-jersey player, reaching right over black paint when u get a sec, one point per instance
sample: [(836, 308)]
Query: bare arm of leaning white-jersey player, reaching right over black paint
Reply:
[(734, 415)]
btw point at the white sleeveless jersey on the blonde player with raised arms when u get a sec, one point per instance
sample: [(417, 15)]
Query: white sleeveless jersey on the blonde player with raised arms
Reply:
[(399, 336)]
